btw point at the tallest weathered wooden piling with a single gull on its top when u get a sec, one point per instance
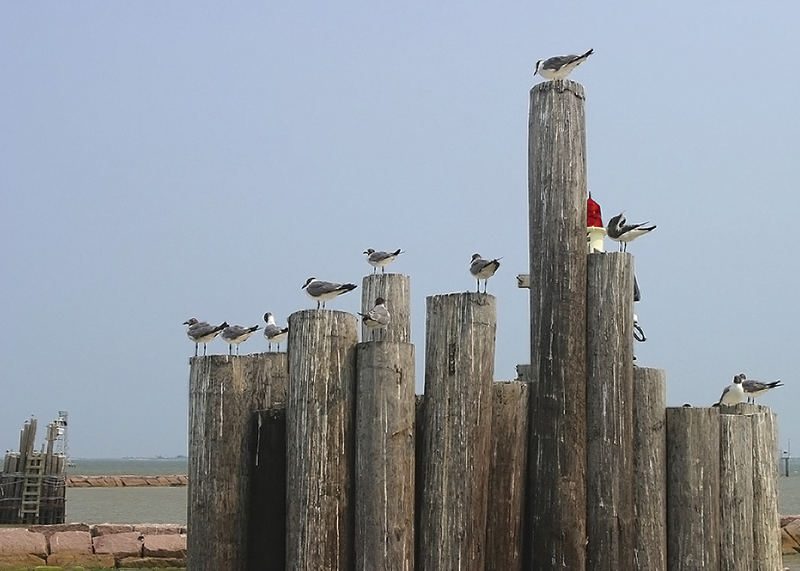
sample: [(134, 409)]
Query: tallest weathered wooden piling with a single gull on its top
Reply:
[(557, 231)]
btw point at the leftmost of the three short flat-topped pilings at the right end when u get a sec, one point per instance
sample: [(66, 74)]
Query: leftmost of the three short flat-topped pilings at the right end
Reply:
[(693, 488)]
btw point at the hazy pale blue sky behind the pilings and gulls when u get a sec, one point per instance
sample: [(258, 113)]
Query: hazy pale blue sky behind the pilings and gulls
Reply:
[(162, 160)]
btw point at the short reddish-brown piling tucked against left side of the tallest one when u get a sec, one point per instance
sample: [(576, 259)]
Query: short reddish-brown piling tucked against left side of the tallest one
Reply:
[(507, 463)]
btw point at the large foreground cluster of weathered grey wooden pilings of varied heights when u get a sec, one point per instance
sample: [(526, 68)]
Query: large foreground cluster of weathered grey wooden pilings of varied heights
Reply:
[(324, 458)]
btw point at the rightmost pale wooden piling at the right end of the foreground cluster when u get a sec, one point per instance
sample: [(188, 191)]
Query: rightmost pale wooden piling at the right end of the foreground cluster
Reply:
[(766, 520)]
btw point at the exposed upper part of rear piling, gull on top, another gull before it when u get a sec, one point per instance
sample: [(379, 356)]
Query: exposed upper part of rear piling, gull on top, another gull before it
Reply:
[(396, 290)]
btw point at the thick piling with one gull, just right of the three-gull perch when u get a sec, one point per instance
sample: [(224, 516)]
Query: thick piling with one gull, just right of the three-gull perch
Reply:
[(320, 417)]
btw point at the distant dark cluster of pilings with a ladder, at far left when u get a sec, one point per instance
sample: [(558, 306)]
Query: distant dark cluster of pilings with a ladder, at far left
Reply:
[(32, 483)]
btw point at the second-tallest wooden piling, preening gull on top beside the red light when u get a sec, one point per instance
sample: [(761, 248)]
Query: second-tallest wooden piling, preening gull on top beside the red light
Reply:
[(609, 412)]
